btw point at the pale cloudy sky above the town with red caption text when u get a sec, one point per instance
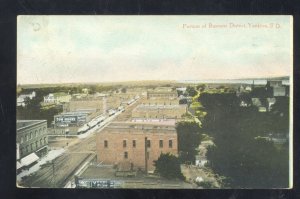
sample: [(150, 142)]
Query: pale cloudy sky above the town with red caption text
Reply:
[(62, 49)]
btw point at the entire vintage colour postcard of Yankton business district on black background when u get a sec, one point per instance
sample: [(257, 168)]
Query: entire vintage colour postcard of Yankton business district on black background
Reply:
[(154, 102)]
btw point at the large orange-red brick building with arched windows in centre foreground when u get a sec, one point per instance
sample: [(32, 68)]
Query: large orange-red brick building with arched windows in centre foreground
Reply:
[(125, 142)]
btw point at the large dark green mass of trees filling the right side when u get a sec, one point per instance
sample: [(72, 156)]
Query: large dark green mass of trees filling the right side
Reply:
[(247, 160)]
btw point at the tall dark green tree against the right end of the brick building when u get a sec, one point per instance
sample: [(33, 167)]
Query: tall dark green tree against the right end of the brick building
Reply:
[(189, 138)]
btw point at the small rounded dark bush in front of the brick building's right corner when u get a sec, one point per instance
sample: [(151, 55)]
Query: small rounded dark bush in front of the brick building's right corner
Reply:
[(168, 166)]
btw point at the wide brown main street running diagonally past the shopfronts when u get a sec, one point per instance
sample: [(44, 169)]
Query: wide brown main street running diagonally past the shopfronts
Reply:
[(62, 169)]
